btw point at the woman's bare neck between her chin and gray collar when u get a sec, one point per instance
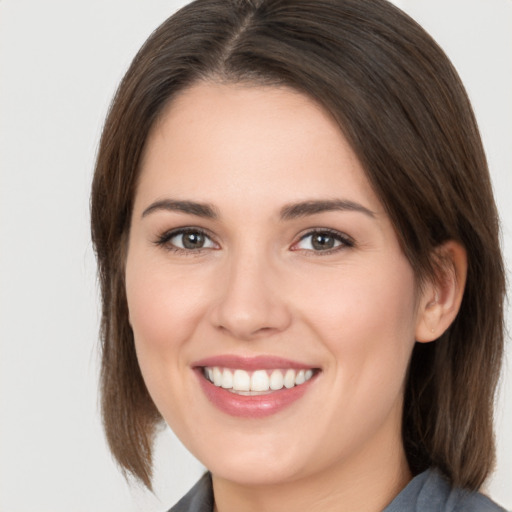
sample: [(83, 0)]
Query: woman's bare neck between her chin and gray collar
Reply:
[(364, 484)]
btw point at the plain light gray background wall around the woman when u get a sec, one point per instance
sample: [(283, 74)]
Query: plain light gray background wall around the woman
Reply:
[(60, 62)]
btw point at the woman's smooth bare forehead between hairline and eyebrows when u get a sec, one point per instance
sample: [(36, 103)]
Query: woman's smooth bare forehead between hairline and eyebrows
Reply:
[(258, 140)]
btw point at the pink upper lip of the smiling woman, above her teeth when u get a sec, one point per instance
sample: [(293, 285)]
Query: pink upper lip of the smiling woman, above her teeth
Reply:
[(251, 363)]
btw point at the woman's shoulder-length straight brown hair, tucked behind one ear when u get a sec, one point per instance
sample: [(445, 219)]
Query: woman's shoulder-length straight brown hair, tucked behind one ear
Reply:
[(402, 107)]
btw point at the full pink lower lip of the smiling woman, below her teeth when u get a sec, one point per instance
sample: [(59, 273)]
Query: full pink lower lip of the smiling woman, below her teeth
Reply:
[(256, 406)]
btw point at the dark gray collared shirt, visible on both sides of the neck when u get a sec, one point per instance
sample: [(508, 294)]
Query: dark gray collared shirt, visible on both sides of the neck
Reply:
[(427, 492)]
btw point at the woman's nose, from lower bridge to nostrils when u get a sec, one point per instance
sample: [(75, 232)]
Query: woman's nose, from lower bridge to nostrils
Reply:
[(251, 303)]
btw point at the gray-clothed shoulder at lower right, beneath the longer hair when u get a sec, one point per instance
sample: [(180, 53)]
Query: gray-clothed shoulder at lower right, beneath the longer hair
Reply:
[(431, 492)]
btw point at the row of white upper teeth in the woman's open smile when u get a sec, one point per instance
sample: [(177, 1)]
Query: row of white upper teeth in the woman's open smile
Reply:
[(259, 381)]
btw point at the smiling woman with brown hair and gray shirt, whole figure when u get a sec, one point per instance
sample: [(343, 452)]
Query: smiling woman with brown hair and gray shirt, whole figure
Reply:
[(299, 259)]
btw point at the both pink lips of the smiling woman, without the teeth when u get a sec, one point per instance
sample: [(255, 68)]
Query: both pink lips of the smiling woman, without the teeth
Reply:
[(257, 406)]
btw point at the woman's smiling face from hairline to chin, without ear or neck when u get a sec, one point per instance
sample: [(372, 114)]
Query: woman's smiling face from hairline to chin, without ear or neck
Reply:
[(273, 310)]
